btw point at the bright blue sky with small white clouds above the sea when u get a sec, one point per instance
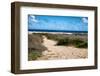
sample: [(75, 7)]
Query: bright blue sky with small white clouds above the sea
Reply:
[(60, 23)]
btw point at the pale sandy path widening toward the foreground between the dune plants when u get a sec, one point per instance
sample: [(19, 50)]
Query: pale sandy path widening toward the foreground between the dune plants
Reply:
[(61, 52)]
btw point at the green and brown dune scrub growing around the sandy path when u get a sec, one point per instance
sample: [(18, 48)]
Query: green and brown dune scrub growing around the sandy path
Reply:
[(36, 47)]
